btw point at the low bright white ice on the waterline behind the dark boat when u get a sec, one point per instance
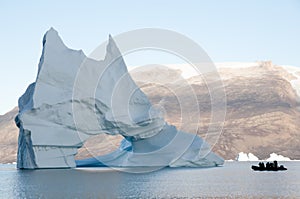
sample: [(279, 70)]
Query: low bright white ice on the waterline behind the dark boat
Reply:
[(250, 157)]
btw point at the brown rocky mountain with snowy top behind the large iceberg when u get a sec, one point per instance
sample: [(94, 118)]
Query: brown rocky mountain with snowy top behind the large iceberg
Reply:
[(262, 110)]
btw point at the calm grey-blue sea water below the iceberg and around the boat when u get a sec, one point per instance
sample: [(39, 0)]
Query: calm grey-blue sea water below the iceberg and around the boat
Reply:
[(234, 179)]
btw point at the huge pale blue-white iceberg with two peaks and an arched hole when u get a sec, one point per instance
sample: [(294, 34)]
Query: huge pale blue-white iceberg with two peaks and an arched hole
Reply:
[(75, 97)]
